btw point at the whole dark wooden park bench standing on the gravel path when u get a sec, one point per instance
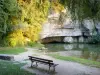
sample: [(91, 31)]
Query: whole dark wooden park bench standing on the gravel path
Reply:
[(42, 61)]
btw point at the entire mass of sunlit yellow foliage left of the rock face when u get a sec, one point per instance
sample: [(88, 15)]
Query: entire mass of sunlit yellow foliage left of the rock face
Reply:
[(32, 18)]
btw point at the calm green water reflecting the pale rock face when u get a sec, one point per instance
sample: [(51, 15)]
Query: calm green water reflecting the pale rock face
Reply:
[(87, 51)]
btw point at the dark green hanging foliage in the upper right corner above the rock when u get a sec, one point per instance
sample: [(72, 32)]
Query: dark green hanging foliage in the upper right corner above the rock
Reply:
[(84, 9)]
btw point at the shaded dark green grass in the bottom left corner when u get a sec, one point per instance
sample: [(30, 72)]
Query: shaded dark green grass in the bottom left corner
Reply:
[(9, 68)]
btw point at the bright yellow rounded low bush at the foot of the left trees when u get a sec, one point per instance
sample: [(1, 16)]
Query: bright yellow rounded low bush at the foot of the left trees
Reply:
[(16, 38)]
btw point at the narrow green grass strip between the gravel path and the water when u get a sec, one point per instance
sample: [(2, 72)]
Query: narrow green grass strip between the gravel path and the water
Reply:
[(75, 59)]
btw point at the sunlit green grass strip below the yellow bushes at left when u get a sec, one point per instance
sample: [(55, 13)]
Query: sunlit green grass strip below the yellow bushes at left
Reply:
[(11, 50)]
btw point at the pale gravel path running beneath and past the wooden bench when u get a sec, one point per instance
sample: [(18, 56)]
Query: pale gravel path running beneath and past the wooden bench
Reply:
[(64, 67)]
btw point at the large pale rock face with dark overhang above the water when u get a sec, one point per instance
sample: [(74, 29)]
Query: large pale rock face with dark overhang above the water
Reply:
[(69, 32)]
